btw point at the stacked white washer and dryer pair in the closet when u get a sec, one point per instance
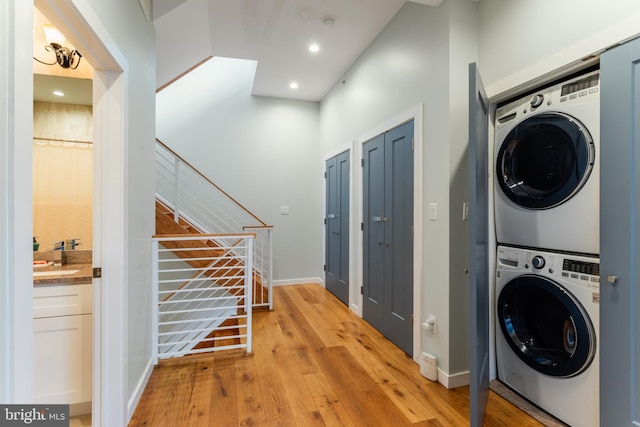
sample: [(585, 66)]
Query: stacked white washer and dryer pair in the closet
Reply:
[(547, 231)]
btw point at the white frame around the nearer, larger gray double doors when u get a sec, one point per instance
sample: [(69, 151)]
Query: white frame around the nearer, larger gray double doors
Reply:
[(356, 297)]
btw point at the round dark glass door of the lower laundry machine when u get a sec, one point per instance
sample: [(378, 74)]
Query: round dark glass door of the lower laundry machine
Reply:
[(546, 326)]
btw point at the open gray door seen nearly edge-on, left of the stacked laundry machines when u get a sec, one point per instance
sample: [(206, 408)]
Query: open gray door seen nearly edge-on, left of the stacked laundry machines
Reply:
[(478, 246)]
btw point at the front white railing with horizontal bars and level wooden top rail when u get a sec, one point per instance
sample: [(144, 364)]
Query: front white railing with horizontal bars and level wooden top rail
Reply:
[(204, 293)]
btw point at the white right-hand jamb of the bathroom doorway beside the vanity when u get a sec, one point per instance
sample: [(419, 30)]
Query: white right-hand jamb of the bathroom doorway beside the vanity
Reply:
[(110, 328)]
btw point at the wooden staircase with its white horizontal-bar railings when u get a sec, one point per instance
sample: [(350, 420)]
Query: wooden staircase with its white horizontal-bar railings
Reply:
[(212, 262)]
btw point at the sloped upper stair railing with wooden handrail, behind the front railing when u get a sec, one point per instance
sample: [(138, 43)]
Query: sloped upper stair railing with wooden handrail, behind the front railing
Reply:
[(194, 197)]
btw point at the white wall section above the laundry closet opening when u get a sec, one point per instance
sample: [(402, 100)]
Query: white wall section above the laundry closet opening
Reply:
[(523, 40)]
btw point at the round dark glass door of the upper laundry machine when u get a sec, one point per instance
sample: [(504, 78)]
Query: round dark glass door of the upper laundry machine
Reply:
[(545, 160)]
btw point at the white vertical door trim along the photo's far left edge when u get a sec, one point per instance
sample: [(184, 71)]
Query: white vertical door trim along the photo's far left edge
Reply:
[(16, 216)]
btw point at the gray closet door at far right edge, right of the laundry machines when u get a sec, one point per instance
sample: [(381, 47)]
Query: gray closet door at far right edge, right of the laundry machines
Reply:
[(620, 236)]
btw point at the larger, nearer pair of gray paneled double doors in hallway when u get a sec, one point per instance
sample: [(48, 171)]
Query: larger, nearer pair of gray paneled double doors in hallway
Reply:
[(388, 234)]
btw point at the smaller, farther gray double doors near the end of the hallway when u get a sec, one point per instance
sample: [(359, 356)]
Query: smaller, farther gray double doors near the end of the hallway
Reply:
[(337, 226)]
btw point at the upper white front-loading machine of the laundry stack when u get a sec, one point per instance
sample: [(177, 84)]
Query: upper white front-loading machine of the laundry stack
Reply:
[(547, 173)]
